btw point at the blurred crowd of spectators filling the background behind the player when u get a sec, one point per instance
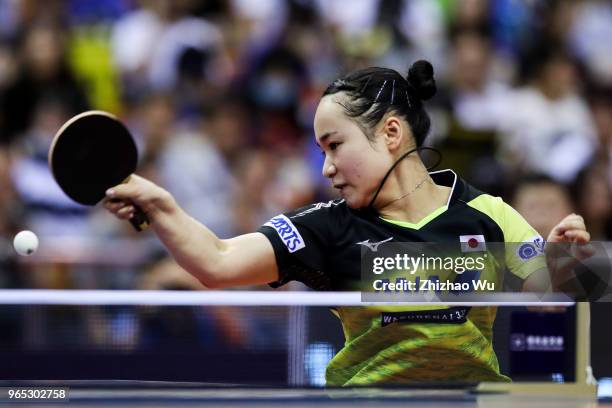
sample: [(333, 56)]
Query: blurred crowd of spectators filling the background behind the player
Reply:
[(220, 95)]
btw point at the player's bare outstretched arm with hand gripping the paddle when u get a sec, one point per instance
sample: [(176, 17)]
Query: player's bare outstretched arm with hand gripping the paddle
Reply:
[(244, 260)]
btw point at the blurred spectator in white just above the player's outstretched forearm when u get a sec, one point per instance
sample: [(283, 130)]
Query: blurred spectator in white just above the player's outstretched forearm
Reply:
[(196, 164)]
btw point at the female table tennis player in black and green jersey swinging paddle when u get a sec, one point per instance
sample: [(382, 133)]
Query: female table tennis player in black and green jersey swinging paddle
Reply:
[(369, 125)]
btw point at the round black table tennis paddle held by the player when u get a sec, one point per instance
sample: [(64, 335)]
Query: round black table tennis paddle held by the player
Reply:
[(91, 153)]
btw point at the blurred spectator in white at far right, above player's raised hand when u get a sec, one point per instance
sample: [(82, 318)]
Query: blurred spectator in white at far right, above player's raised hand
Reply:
[(549, 128)]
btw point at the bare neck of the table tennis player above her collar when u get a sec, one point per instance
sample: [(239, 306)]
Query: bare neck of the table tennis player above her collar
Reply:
[(411, 194)]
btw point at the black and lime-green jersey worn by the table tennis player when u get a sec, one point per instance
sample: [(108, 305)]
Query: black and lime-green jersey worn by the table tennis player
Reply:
[(320, 245)]
